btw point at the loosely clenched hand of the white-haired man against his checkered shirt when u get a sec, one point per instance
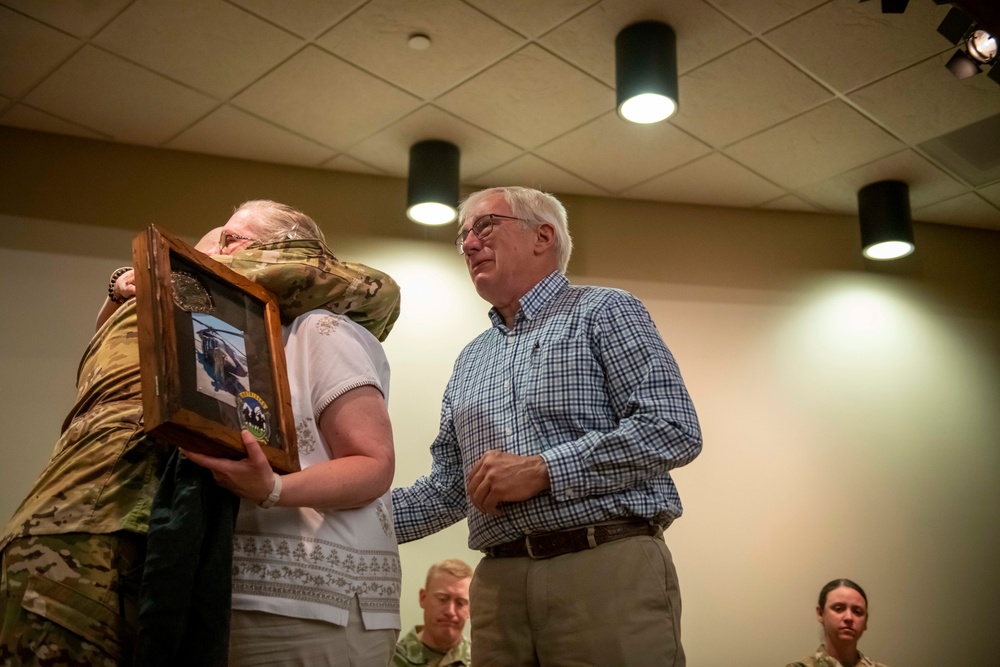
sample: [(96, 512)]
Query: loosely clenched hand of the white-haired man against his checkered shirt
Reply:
[(501, 477)]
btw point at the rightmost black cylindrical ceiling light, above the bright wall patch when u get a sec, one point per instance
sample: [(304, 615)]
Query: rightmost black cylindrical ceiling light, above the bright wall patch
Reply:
[(886, 228)]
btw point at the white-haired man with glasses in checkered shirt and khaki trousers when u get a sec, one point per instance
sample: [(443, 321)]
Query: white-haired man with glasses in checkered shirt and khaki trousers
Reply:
[(559, 427)]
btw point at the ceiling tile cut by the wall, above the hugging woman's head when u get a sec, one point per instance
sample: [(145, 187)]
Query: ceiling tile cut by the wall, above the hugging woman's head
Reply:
[(235, 133)]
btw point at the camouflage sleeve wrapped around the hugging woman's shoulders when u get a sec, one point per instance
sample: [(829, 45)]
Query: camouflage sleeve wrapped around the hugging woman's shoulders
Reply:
[(305, 275)]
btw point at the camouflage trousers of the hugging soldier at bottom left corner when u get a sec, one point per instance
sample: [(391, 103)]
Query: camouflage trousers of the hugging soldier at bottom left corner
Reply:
[(70, 600)]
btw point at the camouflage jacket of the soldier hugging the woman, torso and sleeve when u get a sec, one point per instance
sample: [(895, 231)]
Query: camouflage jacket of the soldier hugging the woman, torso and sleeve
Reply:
[(105, 471)]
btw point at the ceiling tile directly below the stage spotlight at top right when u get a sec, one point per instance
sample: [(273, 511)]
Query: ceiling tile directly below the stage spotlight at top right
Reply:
[(926, 100)]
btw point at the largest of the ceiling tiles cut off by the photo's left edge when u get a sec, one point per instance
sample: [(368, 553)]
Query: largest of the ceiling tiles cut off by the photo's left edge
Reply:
[(28, 52)]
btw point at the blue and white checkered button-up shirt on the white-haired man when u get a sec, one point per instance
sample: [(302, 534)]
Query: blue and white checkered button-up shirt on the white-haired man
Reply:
[(584, 380)]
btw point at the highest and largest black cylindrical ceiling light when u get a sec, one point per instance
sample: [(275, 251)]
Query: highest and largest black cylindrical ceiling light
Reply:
[(646, 72)]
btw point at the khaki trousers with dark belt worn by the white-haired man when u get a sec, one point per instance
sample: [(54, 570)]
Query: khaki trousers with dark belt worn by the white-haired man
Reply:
[(618, 604)]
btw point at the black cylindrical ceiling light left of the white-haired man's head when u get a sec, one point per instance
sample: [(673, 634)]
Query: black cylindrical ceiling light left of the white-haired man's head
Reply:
[(432, 187)]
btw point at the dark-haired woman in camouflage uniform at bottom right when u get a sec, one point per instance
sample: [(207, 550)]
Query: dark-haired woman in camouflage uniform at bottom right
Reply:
[(843, 613)]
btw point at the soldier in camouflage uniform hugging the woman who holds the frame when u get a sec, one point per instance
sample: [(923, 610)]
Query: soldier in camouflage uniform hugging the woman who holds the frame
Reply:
[(73, 551)]
